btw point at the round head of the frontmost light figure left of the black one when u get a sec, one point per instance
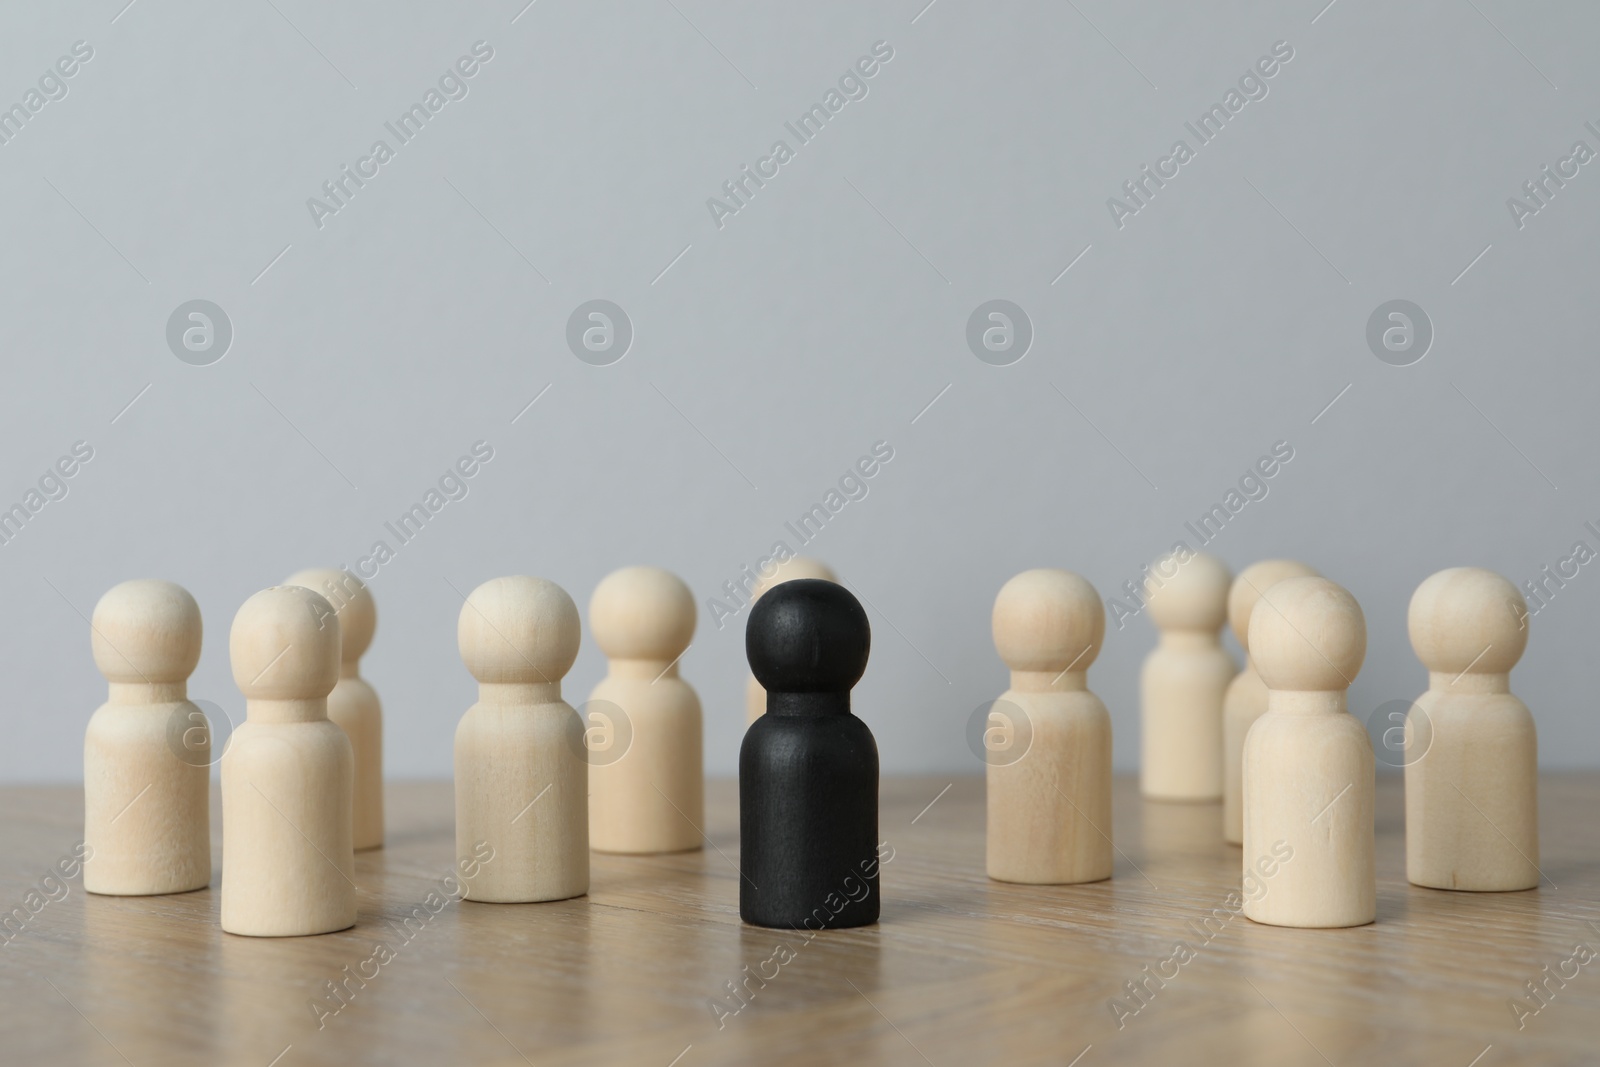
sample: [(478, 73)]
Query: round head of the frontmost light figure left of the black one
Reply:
[(286, 645)]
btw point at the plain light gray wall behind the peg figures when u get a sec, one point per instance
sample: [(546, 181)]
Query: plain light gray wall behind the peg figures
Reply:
[(777, 350)]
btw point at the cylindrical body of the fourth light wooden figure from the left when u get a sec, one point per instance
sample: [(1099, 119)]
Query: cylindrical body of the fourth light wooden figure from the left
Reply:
[(522, 786)]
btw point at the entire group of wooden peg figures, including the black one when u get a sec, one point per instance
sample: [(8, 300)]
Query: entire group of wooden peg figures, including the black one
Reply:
[(538, 786)]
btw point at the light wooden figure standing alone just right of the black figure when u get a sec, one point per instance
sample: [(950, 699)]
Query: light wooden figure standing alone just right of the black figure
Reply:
[(1049, 818)]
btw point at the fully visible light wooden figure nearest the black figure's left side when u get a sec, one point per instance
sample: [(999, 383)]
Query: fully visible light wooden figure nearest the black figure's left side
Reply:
[(649, 797)]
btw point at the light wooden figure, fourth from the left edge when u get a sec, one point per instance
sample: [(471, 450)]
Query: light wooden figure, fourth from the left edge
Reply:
[(522, 772)]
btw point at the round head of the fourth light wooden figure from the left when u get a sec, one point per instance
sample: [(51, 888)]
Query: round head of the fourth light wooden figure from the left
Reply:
[(519, 631)]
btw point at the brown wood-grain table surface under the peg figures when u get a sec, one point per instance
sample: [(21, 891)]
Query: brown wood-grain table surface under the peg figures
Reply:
[(962, 970)]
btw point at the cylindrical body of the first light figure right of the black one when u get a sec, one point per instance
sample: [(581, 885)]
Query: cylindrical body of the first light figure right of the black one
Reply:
[(1049, 813)]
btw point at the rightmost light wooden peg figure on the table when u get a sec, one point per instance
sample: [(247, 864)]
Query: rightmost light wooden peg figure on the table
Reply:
[(1473, 793)]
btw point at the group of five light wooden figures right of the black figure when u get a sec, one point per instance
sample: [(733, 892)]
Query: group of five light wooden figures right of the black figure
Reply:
[(1274, 743)]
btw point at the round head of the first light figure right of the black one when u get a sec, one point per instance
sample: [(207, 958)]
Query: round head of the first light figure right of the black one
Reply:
[(1049, 620)]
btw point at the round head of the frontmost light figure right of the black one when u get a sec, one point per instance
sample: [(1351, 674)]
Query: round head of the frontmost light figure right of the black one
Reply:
[(1308, 634)]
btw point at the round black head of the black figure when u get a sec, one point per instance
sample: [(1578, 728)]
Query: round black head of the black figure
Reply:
[(807, 636)]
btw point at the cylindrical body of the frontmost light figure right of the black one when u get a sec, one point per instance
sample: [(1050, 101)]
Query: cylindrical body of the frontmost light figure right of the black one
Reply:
[(1310, 791)]
